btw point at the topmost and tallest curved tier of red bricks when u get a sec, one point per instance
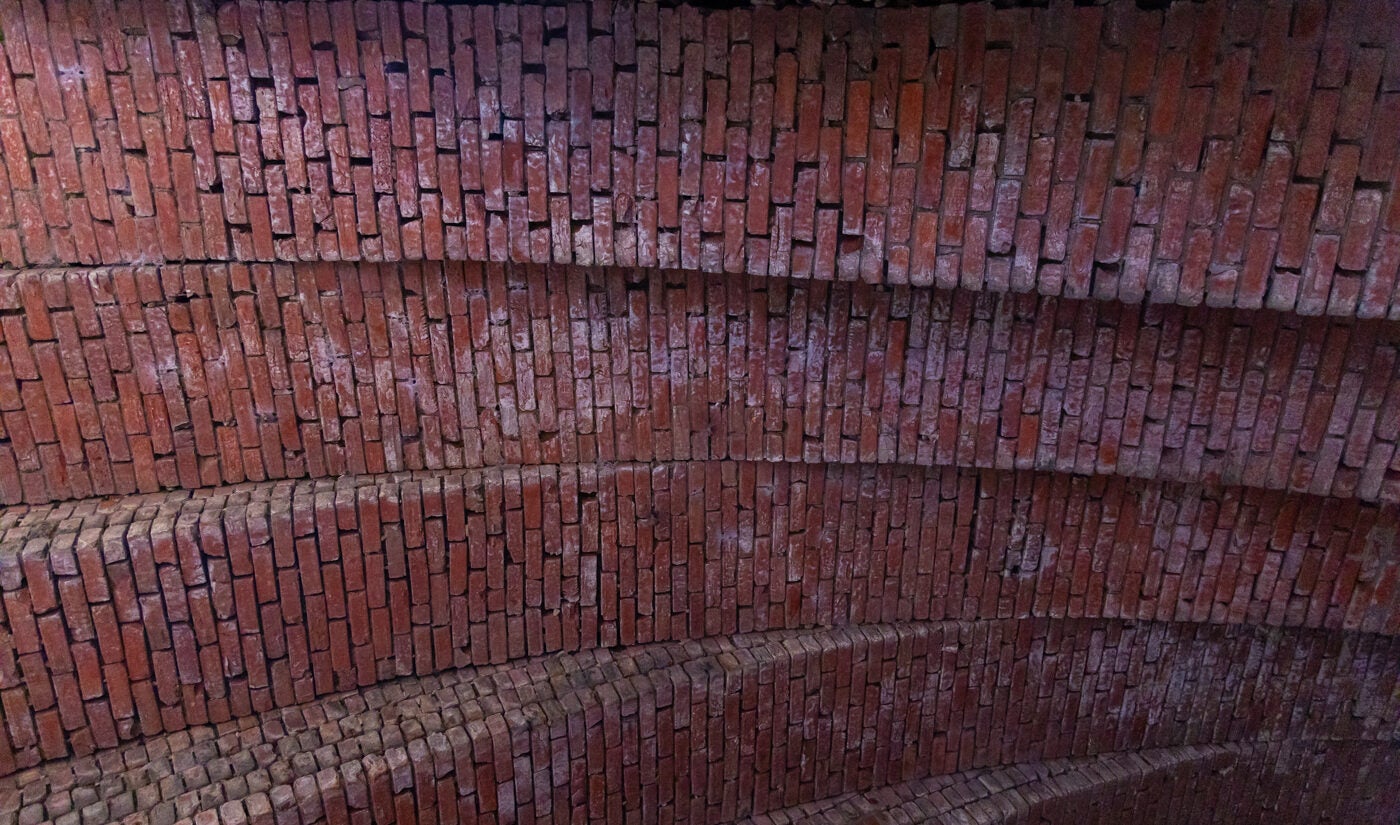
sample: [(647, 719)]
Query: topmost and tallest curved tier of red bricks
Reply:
[(1231, 153)]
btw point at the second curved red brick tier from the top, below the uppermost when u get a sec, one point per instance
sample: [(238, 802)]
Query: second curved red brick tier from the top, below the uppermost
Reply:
[(125, 380)]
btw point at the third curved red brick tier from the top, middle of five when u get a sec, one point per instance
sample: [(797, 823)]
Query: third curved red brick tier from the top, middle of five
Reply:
[(148, 614)]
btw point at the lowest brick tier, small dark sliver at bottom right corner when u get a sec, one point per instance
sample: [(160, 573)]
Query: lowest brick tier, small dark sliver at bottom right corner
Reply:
[(1283, 784)]
